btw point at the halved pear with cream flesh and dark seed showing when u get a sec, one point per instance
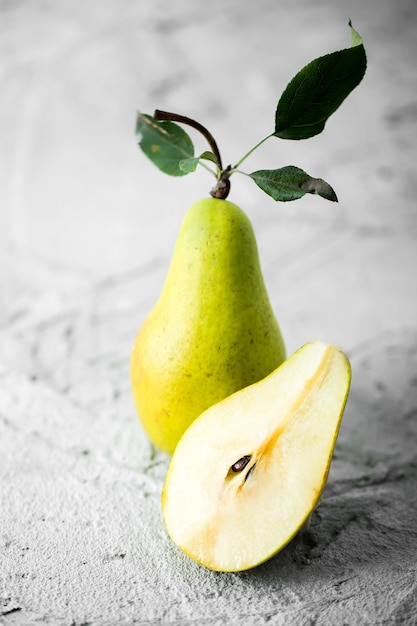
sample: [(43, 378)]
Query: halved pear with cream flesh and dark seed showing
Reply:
[(247, 474)]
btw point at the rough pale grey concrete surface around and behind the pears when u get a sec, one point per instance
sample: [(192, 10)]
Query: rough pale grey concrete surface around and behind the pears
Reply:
[(87, 227)]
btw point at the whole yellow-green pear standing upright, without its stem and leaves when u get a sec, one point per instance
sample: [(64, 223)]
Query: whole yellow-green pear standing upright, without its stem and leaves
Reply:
[(212, 331)]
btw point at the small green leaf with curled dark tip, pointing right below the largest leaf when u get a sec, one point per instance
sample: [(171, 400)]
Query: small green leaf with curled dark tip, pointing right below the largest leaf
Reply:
[(291, 183)]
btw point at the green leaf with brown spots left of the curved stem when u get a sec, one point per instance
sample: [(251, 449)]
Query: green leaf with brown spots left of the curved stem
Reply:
[(166, 144)]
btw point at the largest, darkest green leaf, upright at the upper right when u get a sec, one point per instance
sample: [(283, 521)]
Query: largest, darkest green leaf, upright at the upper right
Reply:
[(315, 93)]
